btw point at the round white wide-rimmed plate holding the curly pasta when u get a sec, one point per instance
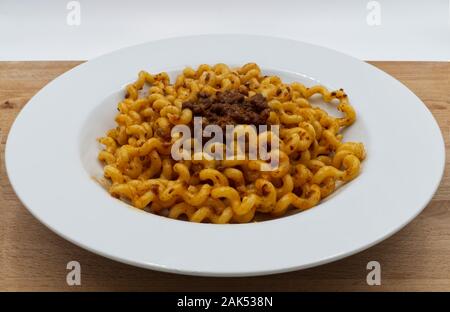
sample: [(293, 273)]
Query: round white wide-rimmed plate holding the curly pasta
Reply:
[(51, 157)]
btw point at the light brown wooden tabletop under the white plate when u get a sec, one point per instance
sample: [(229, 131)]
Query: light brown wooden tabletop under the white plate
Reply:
[(34, 258)]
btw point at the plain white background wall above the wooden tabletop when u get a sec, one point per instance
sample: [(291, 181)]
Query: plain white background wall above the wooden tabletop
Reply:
[(409, 30)]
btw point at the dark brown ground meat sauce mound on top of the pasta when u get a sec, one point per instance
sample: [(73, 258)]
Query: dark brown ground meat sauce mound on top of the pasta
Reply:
[(230, 108)]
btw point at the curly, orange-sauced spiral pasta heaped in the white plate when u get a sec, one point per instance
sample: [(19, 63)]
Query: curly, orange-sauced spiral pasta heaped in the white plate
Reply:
[(313, 158)]
